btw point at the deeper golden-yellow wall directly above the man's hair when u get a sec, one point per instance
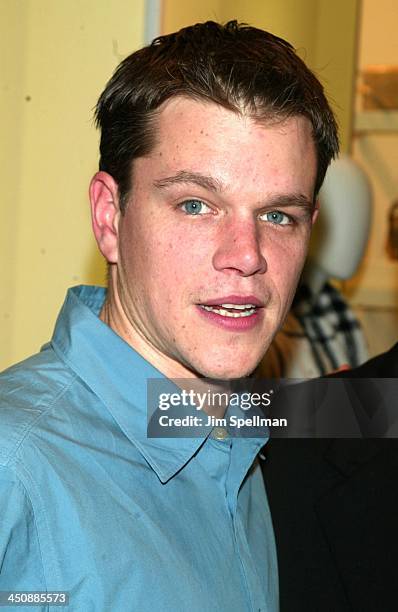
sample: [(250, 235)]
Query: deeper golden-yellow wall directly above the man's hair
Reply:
[(324, 33)]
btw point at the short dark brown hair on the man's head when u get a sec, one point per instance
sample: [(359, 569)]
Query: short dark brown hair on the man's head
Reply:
[(244, 69)]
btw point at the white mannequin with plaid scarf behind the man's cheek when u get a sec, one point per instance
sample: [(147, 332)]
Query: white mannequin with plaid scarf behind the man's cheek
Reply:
[(321, 333)]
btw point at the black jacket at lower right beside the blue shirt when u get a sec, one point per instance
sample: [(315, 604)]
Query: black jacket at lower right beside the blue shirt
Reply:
[(334, 505)]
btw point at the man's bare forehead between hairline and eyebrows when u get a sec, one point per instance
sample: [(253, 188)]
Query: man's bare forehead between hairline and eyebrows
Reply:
[(235, 149)]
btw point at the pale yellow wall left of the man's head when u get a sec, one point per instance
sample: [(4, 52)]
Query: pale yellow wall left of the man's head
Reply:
[(56, 56)]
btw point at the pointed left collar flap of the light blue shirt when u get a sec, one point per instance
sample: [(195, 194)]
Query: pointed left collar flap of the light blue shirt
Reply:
[(118, 375)]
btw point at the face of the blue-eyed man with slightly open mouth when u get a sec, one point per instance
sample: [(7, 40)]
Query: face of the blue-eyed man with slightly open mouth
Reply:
[(213, 239)]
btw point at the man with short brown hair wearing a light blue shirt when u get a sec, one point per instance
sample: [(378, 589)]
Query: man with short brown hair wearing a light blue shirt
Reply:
[(214, 143)]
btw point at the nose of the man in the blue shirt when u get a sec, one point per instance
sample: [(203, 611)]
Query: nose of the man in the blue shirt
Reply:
[(239, 249)]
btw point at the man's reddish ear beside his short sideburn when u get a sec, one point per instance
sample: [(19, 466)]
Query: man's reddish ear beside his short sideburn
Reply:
[(105, 213)]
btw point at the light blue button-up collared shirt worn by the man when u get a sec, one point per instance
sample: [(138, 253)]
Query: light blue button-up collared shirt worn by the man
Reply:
[(90, 505)]
